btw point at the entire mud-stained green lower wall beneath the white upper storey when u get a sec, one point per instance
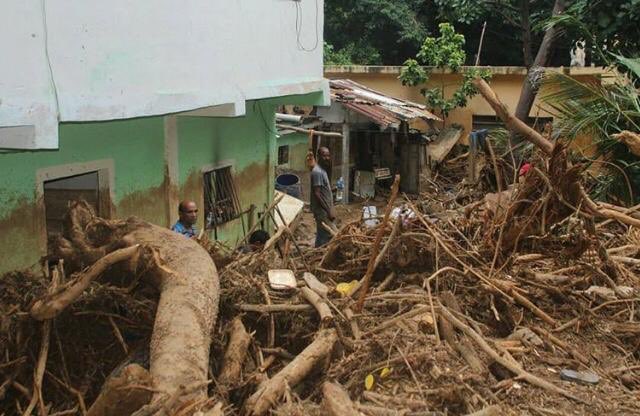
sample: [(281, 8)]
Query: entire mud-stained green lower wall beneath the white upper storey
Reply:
[(136, 147)]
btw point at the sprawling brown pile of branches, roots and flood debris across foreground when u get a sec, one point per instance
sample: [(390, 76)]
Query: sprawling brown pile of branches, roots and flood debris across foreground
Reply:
[(519, 302)]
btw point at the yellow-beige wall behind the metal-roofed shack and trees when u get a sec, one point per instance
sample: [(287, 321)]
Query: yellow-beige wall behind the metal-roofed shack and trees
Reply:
[(506, 82)]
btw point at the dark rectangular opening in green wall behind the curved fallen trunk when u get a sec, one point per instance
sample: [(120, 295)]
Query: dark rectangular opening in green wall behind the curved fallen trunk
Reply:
[(58, 193)]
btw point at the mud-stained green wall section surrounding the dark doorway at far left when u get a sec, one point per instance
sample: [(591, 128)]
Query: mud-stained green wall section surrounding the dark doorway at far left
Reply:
[(136, 148)]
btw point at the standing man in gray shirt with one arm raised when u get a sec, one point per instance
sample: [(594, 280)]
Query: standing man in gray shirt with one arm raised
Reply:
[(322, 198)]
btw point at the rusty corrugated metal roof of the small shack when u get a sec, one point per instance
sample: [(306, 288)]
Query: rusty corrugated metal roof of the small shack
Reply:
[(380, 108)]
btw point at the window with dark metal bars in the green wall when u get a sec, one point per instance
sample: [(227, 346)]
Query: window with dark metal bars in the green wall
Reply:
[(221, 203)]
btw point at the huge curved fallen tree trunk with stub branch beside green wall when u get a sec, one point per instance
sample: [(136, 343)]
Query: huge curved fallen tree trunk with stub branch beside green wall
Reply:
[(179, 268)]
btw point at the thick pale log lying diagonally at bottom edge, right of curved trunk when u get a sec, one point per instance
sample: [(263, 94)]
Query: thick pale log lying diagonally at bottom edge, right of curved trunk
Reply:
[(270, 391)]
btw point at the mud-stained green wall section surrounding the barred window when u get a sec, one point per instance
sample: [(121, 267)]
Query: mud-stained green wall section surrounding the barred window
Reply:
[(246, 143)]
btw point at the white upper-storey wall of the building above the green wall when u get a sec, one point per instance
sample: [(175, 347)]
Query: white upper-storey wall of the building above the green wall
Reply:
[(120, 59)]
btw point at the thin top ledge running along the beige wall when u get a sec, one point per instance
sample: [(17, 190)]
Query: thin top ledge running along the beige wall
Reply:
[(496, 70)]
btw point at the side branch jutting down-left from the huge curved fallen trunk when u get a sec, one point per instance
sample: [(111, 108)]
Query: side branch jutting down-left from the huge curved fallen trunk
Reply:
[(52, 304)]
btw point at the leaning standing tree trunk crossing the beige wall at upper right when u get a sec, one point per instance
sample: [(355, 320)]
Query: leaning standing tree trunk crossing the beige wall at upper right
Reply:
[(532, 82)]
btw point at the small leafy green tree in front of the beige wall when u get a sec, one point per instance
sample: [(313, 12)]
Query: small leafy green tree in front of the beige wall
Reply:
[(445, 52)]
